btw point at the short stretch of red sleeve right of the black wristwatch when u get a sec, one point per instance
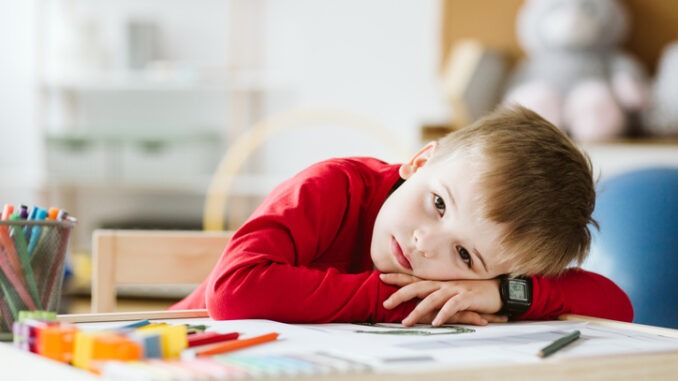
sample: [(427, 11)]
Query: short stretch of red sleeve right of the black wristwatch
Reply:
[(578, 291)]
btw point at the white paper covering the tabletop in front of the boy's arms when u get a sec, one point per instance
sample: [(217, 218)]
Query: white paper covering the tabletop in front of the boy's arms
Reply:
[(493, 344)]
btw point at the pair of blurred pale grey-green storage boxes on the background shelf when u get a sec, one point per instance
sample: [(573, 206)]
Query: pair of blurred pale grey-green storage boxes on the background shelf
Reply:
[(96, 158)]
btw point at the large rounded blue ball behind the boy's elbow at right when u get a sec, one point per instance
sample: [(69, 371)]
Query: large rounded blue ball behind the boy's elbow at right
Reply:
[(637, 245)]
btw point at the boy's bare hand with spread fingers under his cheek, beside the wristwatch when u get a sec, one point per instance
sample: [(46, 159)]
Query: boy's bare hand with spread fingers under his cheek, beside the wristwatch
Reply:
[(459, 301)]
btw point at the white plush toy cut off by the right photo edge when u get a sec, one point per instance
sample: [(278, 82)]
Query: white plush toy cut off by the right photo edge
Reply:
[(661, 116)]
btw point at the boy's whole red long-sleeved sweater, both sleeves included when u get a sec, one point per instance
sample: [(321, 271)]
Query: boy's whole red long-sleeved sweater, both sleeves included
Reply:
[(303, 257)]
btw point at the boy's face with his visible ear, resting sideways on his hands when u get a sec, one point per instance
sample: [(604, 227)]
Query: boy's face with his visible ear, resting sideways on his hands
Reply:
[(431, 226)]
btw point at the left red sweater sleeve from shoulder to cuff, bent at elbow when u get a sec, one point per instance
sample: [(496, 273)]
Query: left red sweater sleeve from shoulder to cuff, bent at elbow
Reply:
[(278, 265)]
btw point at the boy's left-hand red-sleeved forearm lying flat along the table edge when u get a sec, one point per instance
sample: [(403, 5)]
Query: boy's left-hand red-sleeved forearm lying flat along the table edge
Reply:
[(300, 295)]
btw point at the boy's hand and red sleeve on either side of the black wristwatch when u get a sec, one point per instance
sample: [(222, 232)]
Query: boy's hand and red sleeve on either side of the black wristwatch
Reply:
[(576, 291)]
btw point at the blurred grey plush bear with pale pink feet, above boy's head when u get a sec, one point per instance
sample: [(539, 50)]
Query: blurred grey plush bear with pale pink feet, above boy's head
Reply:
[(574, 73)]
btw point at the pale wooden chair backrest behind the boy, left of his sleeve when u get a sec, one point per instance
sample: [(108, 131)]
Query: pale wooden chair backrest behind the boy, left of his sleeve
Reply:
[(146, 257)]
